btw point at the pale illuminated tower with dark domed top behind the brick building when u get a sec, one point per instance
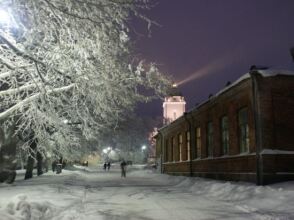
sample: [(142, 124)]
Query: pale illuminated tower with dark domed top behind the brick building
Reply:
[(173, 105)]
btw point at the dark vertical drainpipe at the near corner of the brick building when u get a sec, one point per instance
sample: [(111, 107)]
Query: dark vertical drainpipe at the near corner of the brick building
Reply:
[(258, 126)]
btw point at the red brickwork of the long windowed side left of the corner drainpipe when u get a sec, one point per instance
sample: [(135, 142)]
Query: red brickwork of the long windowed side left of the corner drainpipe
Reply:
[(228, 103)]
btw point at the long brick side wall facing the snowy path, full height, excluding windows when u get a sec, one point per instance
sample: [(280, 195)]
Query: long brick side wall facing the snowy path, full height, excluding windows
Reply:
[(217, 165)]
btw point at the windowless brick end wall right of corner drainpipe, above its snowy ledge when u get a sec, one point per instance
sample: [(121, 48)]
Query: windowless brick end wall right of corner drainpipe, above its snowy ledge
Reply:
[(277, 111)]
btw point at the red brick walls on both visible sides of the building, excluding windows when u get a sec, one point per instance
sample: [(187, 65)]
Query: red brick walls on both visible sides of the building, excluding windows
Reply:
[(276, 99)]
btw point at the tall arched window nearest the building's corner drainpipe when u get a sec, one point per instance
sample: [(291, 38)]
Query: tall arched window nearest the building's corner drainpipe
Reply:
[(243, 130)]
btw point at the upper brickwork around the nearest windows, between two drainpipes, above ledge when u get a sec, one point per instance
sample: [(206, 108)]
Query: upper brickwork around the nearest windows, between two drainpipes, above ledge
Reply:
[(228, 103)]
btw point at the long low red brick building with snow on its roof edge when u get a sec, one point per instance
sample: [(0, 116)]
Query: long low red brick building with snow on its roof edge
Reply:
[(245, 132)]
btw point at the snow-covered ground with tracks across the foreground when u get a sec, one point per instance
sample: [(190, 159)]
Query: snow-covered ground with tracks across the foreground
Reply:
[(91, 193)]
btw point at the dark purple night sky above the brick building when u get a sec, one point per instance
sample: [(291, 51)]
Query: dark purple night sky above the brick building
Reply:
[(215, 40)]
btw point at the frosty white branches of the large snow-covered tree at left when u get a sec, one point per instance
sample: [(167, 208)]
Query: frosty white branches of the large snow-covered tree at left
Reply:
[(66, 69)]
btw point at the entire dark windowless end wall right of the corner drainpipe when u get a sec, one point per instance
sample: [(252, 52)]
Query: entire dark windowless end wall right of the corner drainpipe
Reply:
[(276, 97)]
